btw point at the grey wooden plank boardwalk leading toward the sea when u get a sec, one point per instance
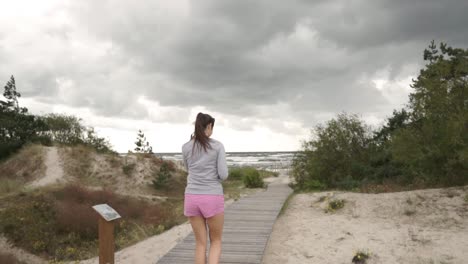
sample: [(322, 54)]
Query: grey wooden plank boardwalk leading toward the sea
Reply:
[(247, 227)]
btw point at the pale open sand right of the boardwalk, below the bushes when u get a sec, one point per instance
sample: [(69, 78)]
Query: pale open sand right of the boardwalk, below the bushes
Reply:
[(425, 226)]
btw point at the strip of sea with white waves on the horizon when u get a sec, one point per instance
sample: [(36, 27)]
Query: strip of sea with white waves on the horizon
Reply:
[(272, 161)]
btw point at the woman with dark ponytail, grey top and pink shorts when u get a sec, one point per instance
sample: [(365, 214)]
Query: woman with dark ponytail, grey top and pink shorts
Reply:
[(205, 161)]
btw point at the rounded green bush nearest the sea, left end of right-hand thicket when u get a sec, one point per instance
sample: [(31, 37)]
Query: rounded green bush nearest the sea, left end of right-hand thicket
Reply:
[(337, 157)]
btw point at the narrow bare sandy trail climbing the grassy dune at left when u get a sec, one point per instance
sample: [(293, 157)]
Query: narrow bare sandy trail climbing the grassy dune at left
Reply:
[(54, 171)]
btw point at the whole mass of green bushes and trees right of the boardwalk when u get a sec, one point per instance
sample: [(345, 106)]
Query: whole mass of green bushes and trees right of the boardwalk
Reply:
[(422, 145)]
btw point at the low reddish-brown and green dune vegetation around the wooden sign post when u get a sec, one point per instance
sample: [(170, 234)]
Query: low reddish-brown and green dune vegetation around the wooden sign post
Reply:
[(58, 222)]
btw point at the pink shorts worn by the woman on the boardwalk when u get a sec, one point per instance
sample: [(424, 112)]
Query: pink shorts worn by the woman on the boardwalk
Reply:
[(206, 205)]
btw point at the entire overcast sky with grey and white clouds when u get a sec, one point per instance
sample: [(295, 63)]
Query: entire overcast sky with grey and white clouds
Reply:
[(267, 70)]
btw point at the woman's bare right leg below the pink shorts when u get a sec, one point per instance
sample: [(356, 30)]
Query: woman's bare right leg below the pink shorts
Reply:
[(215, 224)]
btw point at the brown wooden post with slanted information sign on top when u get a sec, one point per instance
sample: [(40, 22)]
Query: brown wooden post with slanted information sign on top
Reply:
[(107, 215)]
